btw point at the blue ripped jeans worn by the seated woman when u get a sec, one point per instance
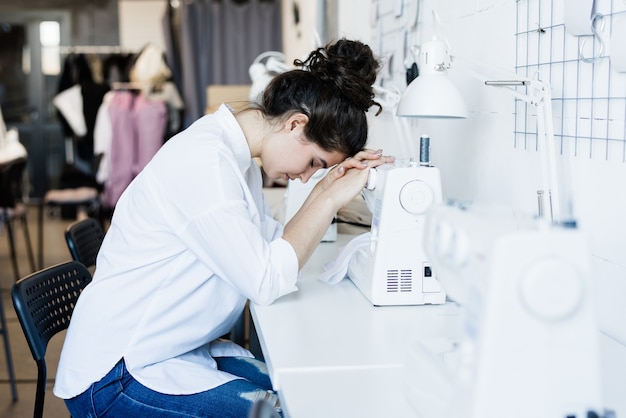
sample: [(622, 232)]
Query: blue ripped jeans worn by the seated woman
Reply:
[(119, 395)]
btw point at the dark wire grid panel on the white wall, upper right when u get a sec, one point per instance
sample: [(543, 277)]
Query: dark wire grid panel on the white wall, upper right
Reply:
[(587, 73)]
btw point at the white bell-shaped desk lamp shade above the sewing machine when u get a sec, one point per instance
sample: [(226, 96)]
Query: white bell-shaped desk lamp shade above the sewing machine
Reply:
[(432, 94)]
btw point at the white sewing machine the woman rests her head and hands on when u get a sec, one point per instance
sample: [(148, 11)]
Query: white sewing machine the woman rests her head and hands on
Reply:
[(393, 269)]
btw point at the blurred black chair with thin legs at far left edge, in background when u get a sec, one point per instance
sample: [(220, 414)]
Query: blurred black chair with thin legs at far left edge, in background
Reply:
[(12, 209)]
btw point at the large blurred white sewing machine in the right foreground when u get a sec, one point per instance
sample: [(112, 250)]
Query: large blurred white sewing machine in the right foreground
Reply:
[(530, 342)]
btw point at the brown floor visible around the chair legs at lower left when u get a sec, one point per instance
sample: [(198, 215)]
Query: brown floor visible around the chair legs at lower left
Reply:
[(55, 251)]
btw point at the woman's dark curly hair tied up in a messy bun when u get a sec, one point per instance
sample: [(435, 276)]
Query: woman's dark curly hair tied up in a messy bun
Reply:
[(334, 89)]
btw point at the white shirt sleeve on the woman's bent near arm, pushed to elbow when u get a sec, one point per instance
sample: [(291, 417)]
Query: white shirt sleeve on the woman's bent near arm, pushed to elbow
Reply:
[(201, 191)]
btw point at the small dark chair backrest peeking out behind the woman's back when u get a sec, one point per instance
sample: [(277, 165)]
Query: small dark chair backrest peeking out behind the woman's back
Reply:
[(84, 238)]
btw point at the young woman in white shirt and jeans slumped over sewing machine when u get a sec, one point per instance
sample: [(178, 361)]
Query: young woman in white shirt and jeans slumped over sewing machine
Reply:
[(191, 240)]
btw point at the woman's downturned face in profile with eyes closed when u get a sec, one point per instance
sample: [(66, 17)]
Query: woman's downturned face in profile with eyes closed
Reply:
[(289, 155)]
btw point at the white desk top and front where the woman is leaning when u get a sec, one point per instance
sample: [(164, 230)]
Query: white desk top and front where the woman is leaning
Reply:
[(331, 353)]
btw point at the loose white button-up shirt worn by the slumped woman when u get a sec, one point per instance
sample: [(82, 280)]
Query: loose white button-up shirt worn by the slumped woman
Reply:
[(190, 240)]
